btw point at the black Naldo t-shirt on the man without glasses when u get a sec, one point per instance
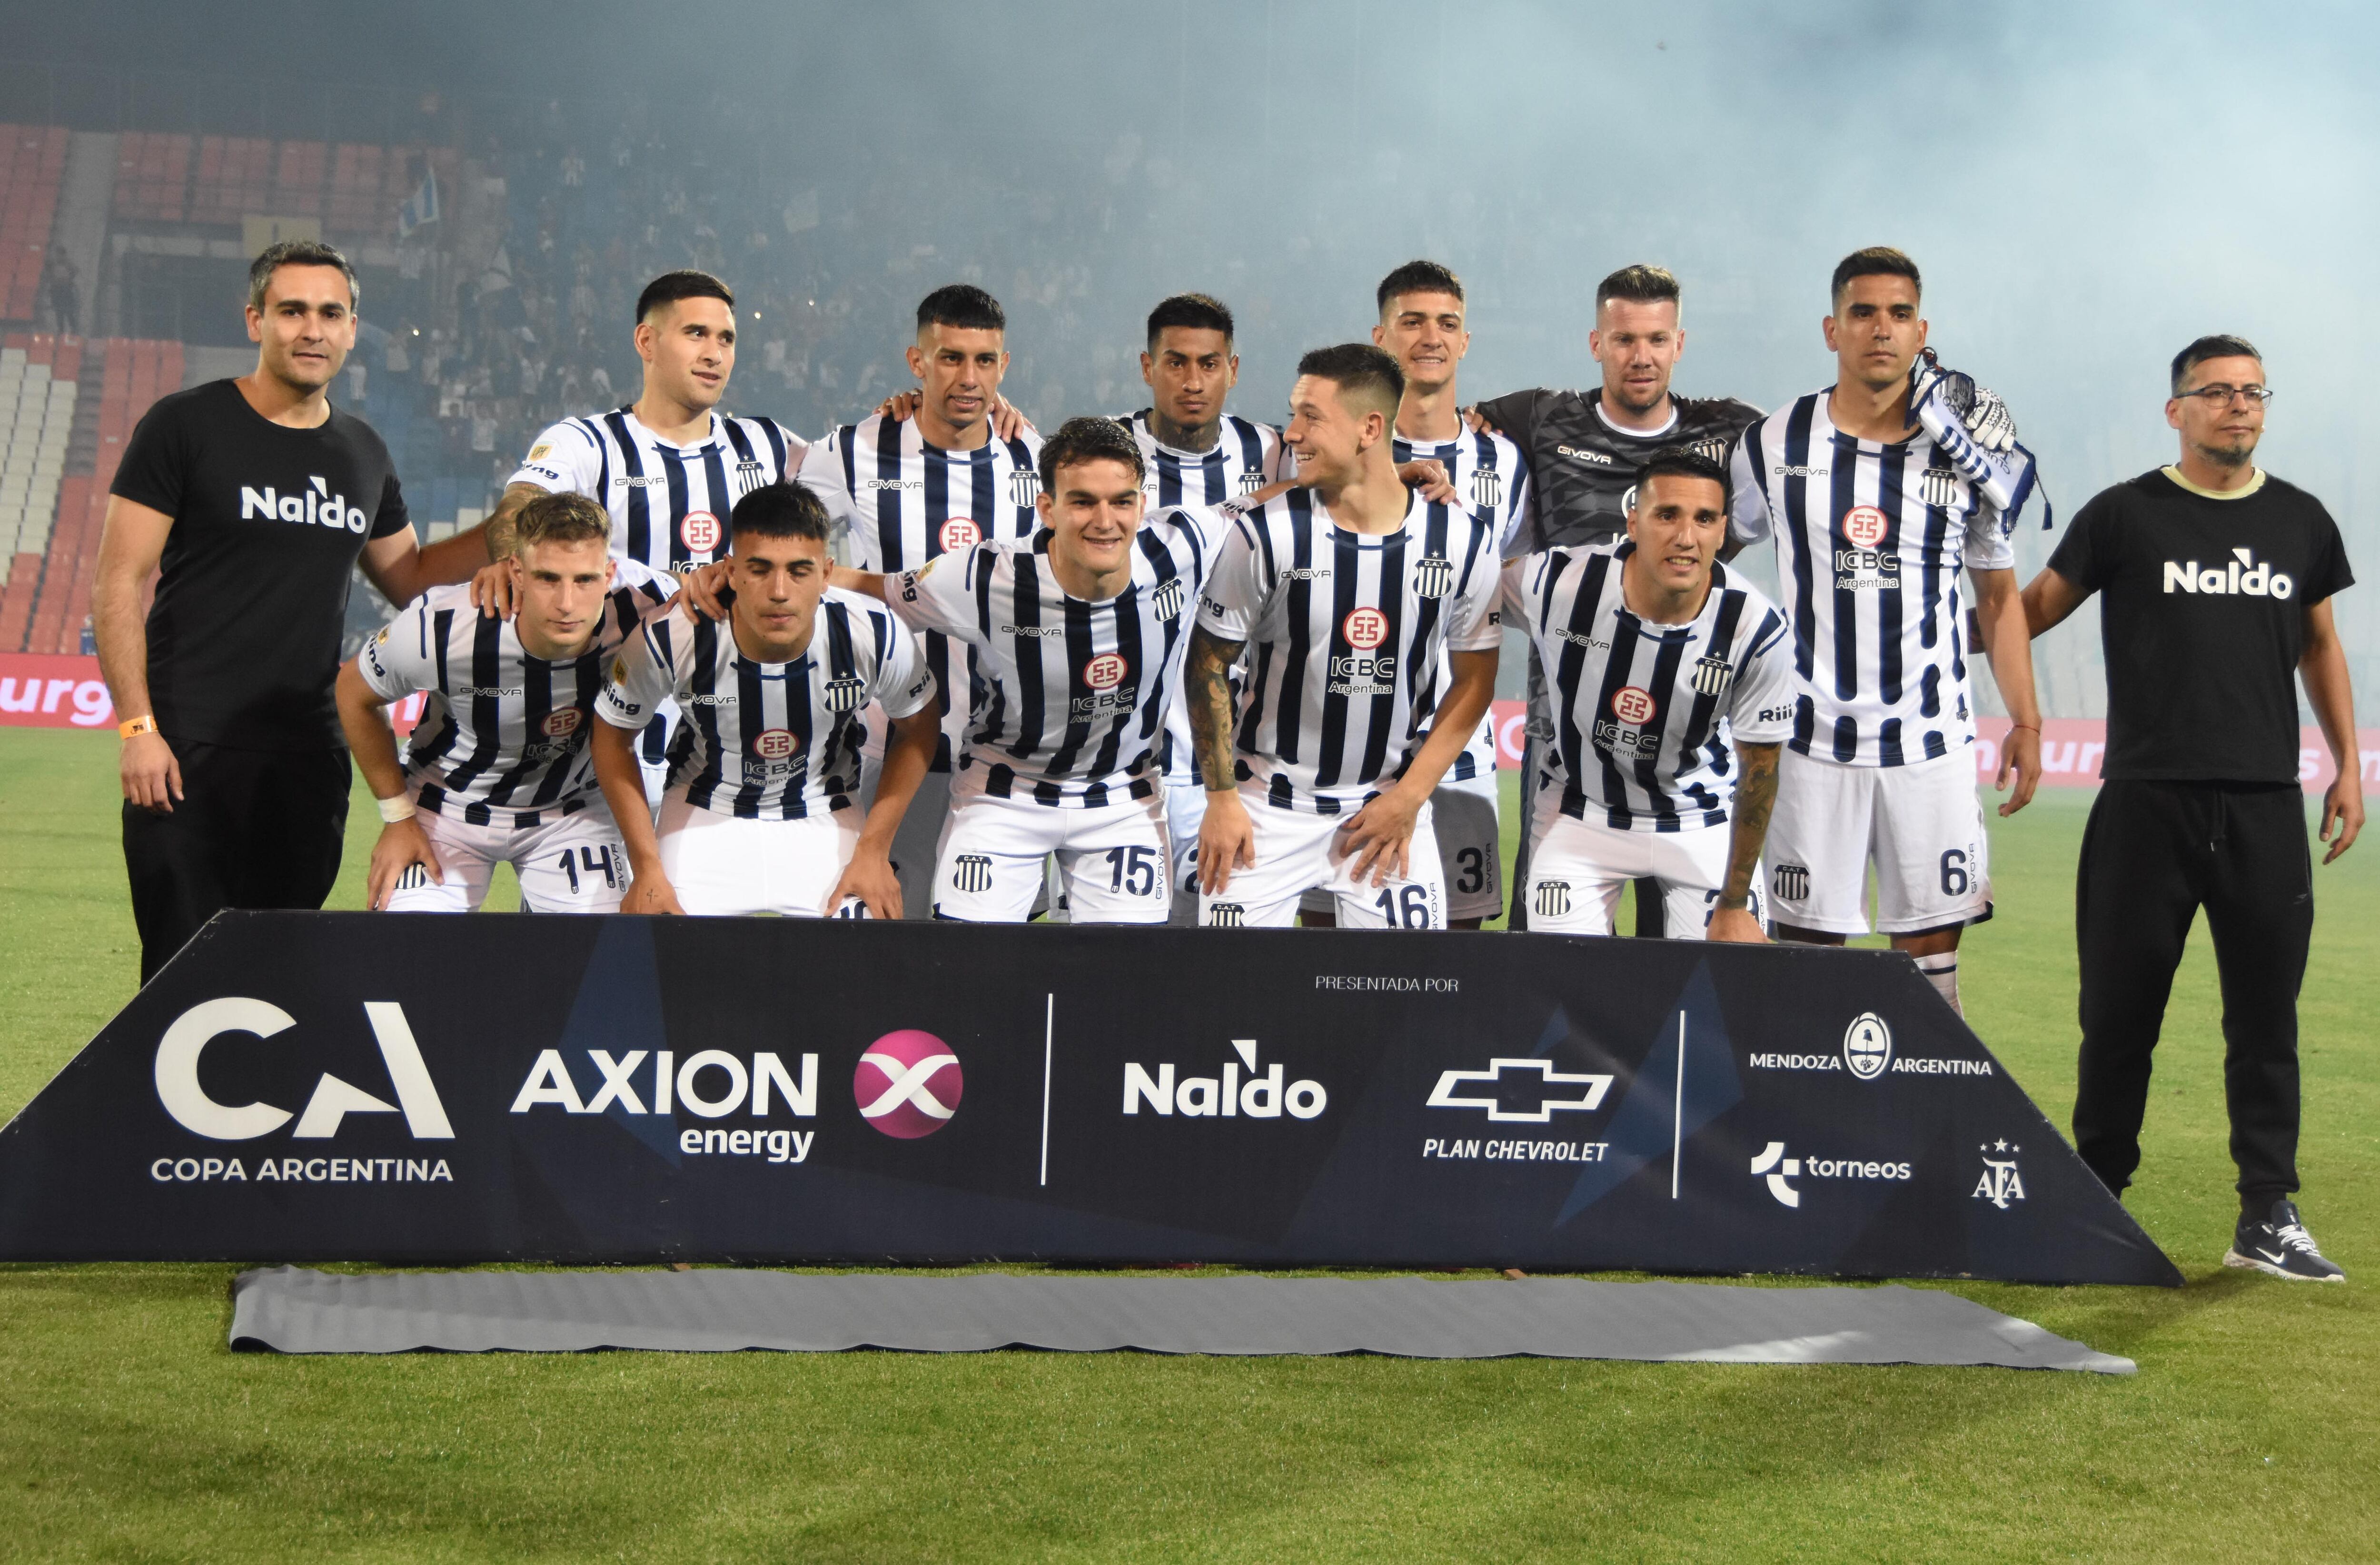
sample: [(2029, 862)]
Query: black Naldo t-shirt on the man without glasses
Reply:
[(253, 591)]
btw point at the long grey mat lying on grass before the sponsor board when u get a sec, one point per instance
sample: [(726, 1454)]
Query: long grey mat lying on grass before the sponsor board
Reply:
[(722, 1312)]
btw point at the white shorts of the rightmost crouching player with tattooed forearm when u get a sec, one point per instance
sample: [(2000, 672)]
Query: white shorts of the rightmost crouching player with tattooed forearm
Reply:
[(1579, 869)]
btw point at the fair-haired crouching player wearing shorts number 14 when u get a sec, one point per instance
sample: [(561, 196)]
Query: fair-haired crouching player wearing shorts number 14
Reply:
[(499, 767)]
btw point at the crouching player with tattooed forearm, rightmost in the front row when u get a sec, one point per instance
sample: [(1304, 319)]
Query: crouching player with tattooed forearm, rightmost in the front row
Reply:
[(1672, 691)]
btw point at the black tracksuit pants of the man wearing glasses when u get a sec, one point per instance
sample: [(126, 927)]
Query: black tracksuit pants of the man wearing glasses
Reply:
[(2153, 857)]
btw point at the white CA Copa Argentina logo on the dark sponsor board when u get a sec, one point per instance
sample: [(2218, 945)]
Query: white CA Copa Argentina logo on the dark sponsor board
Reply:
[(187, 1100)]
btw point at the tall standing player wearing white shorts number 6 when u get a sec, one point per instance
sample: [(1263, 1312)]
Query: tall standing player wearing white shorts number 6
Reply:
[(1874, 520)]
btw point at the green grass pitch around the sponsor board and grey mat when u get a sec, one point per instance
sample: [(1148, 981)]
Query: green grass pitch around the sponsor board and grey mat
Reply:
[(2253, 1431)]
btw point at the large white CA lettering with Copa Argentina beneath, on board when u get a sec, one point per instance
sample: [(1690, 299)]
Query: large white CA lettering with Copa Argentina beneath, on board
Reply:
[(334, 1100)]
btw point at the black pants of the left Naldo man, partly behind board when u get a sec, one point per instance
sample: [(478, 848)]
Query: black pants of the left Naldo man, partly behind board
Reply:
[(256, 829)]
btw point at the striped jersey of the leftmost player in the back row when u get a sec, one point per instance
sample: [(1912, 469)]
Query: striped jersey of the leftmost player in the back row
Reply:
[(670, 503)]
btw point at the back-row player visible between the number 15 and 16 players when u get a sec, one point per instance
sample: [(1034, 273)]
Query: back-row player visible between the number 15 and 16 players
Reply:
[(1194, 453)]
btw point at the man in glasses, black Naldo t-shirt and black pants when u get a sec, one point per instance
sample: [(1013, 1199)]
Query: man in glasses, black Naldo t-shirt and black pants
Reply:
[(2215, 584)]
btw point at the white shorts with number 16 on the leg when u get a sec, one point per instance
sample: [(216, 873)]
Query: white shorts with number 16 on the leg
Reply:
[(1298, 850)]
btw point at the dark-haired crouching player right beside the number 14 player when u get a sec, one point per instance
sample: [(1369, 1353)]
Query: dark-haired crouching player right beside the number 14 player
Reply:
[(765, 812)]
